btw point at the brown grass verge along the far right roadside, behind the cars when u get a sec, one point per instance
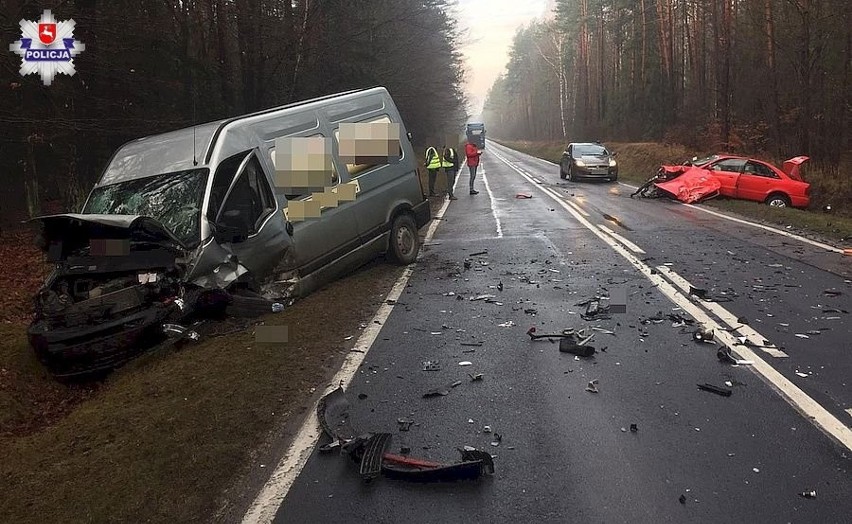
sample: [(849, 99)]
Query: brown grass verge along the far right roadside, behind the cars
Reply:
[(638, 161)]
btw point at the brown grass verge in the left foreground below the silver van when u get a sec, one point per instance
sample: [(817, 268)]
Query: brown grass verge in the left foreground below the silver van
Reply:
[(161, 439)]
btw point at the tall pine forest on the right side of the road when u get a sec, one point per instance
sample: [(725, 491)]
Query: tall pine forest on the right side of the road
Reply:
[(750, 77)]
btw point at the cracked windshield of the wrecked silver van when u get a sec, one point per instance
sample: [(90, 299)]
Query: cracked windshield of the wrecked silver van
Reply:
[(173, 199)]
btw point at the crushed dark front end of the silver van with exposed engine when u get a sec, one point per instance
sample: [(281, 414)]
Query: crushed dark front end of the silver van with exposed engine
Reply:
[(118, 281)]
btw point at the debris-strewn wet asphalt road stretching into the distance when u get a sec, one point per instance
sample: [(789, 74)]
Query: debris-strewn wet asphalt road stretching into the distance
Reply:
[(566, 454)]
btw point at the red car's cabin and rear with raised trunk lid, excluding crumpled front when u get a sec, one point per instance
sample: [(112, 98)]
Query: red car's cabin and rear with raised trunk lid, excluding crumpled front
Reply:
[(749, 179)]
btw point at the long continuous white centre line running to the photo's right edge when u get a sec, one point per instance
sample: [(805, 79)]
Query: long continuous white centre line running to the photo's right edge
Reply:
[(808, 407)]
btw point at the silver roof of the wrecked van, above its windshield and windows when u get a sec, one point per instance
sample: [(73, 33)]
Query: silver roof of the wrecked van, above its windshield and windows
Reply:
[(188, 148)]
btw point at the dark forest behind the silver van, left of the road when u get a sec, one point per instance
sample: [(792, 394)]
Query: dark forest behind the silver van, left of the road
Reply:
[(151, 67)]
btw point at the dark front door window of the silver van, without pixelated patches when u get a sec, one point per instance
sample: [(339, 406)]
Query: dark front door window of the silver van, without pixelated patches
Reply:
[(250, 199)]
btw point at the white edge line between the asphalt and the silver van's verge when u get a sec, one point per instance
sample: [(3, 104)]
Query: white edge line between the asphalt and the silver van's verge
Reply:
[(272, 495)]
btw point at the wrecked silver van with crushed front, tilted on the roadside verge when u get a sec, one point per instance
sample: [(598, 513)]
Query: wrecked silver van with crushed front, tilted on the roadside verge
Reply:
[(277, 203)]
